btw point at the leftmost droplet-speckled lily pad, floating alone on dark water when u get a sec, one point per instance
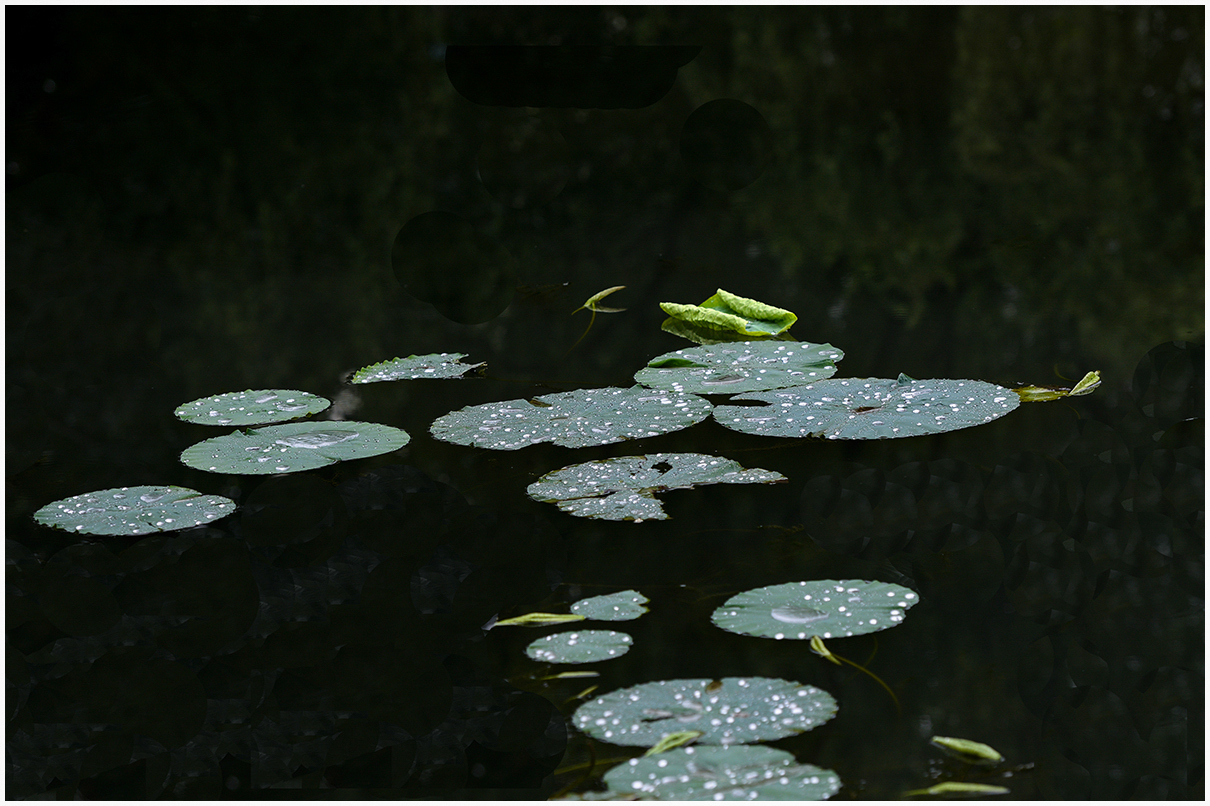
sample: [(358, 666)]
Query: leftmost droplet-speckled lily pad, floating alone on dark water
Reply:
[(135, 511)]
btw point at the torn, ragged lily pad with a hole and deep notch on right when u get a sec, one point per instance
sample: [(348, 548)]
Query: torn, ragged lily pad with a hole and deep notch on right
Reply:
[(624, 488)]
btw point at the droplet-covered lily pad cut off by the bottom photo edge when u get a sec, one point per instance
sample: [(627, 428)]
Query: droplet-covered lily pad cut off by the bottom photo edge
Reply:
[(745, 773)]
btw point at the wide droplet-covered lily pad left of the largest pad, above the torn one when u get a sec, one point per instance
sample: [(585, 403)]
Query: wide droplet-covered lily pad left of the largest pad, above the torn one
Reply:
[(579, 419)]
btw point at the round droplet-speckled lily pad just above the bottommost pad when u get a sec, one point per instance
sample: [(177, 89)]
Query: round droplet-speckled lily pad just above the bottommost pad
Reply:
[(733, 711)]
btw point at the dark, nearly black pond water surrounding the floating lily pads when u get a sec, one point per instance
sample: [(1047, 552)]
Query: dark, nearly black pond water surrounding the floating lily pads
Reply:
[(208, 201)]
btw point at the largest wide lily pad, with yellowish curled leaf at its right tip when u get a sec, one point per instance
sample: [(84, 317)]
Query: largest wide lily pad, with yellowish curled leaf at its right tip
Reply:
[(869, 408)]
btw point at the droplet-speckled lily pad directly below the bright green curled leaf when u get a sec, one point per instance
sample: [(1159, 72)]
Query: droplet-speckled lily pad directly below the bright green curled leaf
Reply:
[(741, 367)]
